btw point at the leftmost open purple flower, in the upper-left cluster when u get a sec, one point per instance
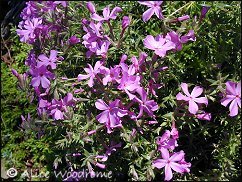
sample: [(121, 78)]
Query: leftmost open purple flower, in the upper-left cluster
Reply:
[(27, 31)]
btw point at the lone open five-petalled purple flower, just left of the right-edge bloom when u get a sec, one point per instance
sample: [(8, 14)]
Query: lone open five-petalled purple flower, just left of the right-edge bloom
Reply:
[(192, 98)]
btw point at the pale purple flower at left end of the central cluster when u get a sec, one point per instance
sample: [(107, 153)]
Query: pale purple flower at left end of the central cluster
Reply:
[(91, 73)]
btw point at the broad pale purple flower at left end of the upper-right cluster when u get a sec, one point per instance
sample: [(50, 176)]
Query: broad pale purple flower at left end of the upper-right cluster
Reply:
[(159, 44)]
